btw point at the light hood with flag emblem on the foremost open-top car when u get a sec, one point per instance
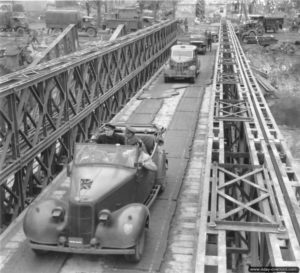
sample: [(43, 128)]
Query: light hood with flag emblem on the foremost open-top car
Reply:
[(94, 182)]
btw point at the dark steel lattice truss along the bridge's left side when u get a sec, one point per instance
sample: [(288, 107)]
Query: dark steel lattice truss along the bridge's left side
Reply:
[(49, 108)]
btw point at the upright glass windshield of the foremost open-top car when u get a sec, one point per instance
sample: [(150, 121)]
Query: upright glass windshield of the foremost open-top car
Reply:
[(91, 153)]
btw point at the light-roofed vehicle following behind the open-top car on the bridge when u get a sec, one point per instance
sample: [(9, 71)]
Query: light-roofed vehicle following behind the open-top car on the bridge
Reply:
[(183, 63)]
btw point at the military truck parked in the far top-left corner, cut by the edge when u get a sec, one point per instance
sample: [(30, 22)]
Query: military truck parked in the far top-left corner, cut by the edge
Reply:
[(13, 21)]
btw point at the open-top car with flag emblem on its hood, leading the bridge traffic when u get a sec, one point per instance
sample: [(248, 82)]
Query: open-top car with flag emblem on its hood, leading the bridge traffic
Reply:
[(105, 207)]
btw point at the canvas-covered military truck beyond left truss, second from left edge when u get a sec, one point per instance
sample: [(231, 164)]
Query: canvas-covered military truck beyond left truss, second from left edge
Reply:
[(57, 20)]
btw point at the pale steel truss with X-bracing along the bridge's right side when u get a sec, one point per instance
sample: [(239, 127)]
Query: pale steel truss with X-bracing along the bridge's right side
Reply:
[(250, 210)]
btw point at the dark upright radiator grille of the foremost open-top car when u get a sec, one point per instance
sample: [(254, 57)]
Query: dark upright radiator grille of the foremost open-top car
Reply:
[(81, 222)]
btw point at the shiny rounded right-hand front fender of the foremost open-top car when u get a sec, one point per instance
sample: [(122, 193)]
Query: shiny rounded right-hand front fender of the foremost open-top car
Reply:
[(124, 227)]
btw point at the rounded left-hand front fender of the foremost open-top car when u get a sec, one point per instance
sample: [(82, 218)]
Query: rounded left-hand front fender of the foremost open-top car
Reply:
[(39, 224)]
